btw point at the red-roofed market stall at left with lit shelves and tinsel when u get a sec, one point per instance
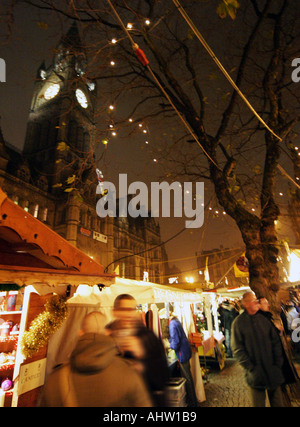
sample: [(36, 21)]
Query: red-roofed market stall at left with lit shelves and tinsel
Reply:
[(38, 271)]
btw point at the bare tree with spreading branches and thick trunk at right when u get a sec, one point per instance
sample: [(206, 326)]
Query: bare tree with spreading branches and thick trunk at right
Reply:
[(235, 152)]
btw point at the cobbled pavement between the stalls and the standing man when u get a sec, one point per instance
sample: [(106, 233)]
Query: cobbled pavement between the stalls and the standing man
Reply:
[(228, 388)]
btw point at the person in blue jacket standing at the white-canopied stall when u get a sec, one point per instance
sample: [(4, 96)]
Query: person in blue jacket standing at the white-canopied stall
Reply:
[(180, 344)]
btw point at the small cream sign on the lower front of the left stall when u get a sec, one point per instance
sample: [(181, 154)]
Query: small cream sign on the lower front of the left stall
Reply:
[(32, 375)]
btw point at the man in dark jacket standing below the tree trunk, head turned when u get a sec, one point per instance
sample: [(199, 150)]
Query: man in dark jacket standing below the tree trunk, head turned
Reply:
[(257, 347)]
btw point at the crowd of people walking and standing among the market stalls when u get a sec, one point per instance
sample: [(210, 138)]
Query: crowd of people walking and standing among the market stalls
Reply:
[(124, 364)]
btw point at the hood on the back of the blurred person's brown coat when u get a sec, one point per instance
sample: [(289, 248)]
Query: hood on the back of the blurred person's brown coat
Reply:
[(93, 353)]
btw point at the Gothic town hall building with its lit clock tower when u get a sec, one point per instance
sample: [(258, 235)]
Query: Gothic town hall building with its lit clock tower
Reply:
[(54, 177)]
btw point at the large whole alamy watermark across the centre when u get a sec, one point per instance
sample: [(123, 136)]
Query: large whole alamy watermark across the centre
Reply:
[(185, 201)]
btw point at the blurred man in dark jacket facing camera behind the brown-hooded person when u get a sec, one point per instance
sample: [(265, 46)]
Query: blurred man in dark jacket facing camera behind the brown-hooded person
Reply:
[(141, 346)]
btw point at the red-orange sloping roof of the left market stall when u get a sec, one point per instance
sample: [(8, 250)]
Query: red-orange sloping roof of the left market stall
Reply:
[(26, 244)]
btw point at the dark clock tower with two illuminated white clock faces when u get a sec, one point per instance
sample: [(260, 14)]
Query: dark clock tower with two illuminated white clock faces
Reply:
[(60, 132)]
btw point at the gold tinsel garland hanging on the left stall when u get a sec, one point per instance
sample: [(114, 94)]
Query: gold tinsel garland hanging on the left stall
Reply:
[(44, 325)]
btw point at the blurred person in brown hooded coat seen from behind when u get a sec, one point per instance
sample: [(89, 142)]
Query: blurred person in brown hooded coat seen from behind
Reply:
[(95, 375)]
